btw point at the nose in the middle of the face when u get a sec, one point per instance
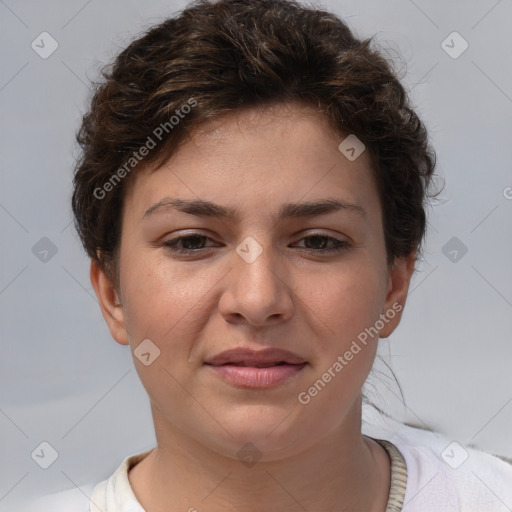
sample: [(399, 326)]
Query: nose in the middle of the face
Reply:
[(257, 291)]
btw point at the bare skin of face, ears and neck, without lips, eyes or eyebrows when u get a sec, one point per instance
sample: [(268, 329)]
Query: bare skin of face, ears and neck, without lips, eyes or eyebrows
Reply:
[(313, 457)]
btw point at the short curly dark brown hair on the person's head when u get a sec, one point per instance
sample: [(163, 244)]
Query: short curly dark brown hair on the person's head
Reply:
[(215, 58)]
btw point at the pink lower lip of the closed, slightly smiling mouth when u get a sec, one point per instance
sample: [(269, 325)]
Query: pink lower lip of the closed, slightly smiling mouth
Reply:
[(257, 378)]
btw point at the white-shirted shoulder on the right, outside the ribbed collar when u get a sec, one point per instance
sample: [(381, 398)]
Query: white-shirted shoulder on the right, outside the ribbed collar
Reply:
[(446, 475)]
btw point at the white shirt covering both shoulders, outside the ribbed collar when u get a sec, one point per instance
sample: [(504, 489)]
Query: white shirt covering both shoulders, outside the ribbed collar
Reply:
[(442, 476)]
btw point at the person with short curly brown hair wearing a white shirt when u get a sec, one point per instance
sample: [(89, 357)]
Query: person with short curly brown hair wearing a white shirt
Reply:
[(252, 195)]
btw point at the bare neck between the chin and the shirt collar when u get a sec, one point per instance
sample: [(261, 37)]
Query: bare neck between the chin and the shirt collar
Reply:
[(344, 471)]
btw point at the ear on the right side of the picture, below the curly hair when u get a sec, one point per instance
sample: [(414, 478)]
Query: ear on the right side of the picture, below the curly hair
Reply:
[(398, 286)]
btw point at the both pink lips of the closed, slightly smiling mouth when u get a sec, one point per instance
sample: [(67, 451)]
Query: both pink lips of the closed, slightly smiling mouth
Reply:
[(249, 368)]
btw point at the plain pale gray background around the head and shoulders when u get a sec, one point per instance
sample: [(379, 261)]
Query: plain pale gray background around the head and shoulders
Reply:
[(65, 381)]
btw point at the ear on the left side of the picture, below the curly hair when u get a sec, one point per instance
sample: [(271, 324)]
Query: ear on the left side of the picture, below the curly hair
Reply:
[(112, 310)]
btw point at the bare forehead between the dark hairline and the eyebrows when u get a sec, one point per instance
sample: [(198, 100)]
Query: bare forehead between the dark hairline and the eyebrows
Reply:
[(258, 157)]
